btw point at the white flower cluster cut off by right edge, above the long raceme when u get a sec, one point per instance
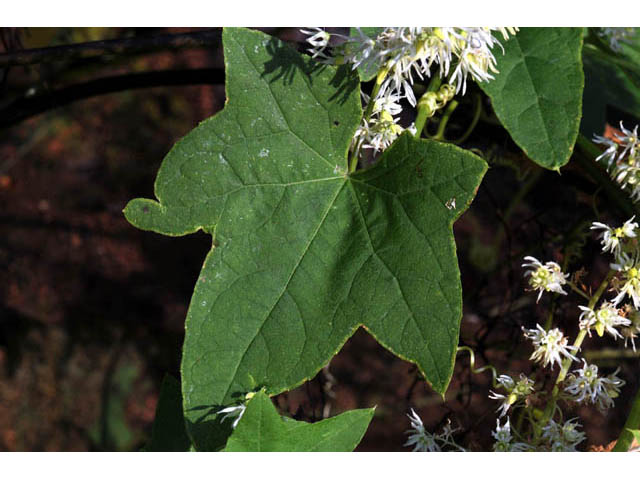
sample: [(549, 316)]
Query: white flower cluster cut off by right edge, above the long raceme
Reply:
[(622, 156)]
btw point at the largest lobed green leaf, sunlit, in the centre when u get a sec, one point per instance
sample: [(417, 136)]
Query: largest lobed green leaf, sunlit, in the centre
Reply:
[(303, 254)]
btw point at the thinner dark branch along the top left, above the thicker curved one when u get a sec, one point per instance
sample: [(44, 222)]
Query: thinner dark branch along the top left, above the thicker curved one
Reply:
[(121, 46)]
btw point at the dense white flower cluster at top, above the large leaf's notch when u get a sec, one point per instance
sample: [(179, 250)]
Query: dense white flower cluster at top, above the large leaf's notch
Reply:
[(399, 56)]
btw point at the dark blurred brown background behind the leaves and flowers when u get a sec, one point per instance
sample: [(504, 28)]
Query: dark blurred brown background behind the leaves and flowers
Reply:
[(92, 310)]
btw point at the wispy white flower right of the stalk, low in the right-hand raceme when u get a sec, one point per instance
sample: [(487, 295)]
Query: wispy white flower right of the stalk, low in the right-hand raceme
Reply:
[(585, 386)]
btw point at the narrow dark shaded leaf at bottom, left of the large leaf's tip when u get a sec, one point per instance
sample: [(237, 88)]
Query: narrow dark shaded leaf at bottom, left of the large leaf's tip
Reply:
[(168, 433)]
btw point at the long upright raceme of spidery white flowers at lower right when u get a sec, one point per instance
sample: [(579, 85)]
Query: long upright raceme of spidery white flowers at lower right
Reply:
[(582, 385)]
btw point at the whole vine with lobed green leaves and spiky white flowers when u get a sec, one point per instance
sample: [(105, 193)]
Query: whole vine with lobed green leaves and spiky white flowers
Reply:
[(331, 207)]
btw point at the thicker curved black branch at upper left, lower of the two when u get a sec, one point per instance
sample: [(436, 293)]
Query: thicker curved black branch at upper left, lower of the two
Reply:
[(26, 107)]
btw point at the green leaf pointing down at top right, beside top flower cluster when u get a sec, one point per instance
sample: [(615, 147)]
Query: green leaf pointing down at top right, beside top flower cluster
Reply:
[(538, 93)]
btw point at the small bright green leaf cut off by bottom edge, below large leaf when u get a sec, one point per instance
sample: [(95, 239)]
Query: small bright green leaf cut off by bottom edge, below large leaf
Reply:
[(261, 429)]
